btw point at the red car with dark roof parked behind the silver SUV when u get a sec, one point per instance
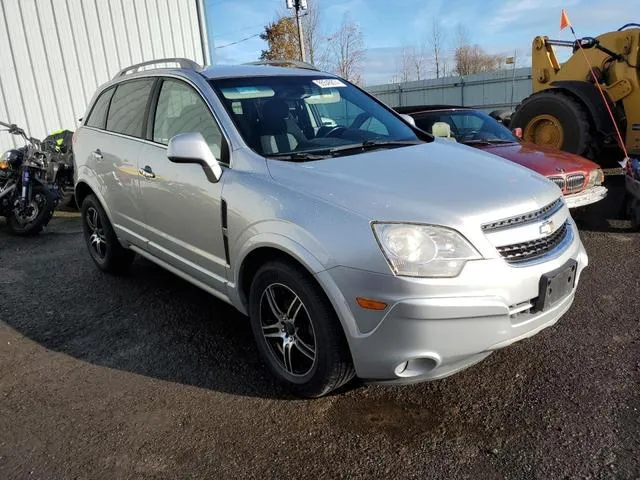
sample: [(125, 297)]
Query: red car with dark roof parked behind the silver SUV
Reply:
[(579, 179)]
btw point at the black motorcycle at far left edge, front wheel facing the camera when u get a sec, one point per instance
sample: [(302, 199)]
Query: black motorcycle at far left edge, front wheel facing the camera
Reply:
[(28, 186)]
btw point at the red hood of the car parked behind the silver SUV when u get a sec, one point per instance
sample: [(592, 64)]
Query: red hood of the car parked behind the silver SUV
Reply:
[(543, 160)]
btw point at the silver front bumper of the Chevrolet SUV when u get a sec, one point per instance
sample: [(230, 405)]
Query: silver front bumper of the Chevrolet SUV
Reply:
[(433, 328)]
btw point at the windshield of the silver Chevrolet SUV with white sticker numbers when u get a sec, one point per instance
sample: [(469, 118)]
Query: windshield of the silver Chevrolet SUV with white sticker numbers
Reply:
[(309, 117)]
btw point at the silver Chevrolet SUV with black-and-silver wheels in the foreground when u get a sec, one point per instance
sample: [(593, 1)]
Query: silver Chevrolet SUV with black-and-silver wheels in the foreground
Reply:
[(356, 243)]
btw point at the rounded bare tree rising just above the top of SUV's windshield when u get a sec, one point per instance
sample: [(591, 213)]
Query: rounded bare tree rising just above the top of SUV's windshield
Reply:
[(347, 47)]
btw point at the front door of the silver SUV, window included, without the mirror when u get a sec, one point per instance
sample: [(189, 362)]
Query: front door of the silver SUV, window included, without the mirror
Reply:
[(182, 208)]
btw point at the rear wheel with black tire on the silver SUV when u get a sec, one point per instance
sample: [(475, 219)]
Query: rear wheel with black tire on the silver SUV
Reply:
[(105, 249)]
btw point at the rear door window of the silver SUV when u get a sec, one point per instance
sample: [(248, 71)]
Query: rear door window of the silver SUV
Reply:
[(128, 106)]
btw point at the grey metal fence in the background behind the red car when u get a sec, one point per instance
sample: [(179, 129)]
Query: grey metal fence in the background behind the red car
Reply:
[(488, 91)]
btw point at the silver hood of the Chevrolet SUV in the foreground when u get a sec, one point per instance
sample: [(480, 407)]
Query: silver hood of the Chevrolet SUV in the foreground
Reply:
[(438, 182)]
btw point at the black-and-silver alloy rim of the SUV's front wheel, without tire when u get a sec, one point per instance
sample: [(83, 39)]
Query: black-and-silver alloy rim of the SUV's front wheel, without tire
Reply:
[(287, 329)]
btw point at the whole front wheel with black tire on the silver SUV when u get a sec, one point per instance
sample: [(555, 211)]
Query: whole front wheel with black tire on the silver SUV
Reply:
[(297, 331)]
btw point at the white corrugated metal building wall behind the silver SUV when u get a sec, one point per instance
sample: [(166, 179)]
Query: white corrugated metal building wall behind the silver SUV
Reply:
[(54, 53)]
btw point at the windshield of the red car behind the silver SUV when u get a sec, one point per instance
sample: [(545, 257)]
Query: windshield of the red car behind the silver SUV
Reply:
[(466, 126)]
